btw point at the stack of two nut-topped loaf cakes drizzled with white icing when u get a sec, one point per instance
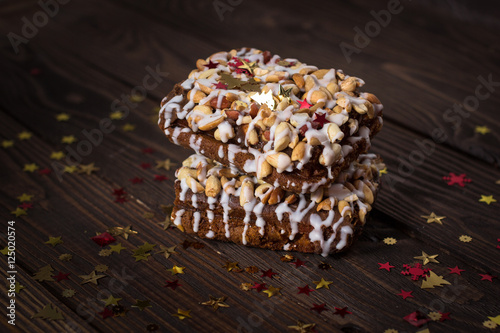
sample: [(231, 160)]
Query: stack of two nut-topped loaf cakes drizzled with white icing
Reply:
[(281, 152)]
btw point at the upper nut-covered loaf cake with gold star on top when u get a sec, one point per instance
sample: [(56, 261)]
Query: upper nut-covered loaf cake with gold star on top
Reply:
[(283, 121)]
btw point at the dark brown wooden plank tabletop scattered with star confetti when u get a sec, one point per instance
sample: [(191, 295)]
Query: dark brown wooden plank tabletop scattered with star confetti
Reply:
[(435, 66)]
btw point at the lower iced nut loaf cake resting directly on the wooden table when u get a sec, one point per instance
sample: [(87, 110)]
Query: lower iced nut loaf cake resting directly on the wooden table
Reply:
[(217, 203)]
